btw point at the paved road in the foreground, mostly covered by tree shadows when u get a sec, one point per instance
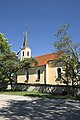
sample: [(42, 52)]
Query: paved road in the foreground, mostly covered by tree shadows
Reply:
[(29, 108)]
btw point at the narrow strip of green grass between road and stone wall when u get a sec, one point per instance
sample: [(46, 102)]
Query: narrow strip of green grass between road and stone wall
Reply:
[(36, 94)]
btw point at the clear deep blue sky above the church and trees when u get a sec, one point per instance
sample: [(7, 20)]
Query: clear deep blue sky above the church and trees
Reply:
[(43, 18)]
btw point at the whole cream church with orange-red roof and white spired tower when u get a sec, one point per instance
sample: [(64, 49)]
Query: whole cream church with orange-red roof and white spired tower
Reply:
[(45, 72)]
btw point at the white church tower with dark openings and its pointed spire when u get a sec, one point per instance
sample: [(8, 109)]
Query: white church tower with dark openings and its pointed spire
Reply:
[(25, 50)]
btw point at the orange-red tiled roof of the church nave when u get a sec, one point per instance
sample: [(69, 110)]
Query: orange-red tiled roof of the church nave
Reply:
[(43, 59)]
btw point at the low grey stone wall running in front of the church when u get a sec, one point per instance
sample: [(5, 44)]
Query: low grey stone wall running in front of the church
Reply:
[(53, 89)]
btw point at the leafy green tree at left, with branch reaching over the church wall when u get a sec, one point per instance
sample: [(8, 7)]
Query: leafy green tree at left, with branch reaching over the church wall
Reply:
[(9, 62)]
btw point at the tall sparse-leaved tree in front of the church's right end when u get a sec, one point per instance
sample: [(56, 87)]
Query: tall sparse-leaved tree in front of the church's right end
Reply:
[(70, 57)]
